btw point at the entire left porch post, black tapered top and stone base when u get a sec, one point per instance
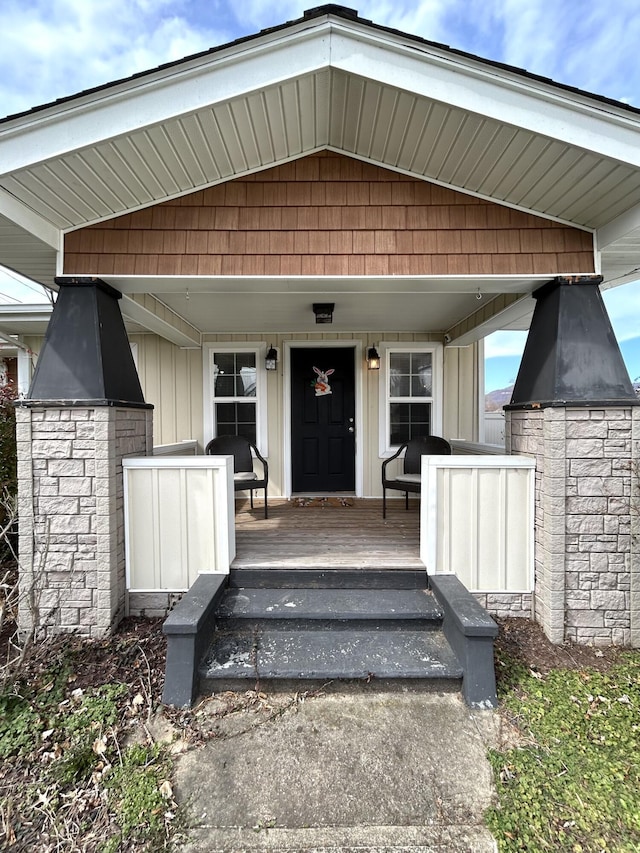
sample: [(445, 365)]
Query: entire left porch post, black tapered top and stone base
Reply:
[(84, 412)]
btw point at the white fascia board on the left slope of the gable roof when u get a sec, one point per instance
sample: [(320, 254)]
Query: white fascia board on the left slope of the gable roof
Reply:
[(167, 94)]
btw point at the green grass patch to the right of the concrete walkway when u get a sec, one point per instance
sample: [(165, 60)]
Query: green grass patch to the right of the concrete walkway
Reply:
[(574, 782)]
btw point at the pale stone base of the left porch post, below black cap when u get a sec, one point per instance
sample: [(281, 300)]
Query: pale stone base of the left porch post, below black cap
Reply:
[(71, 505)]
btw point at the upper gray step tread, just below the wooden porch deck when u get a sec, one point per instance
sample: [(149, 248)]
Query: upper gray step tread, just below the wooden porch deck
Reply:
[(333, 604)]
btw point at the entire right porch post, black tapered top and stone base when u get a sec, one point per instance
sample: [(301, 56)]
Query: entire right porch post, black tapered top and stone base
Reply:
[(574, 409)]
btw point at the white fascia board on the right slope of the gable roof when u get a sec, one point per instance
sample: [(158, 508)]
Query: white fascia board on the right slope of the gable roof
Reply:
[(492, 92)]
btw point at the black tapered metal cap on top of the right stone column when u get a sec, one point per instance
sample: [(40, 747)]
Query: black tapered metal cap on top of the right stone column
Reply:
[(571, 356)]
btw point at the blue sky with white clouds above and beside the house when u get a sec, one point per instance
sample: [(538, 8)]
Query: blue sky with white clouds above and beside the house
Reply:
[(54, 48)]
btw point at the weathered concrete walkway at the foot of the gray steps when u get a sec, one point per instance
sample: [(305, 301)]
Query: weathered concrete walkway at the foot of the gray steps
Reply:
[(355, 767)]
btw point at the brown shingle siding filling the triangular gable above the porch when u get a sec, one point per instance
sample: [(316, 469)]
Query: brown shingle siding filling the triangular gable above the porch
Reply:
[(327, 214)]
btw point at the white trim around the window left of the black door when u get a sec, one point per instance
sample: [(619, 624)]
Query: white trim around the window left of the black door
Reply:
[(261, 401)]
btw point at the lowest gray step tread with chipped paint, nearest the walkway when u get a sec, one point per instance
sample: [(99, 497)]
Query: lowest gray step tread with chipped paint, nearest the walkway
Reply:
[(346, 653)]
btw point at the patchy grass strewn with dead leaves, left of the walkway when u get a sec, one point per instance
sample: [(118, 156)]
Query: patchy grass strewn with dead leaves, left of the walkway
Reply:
[(70, 774)]
